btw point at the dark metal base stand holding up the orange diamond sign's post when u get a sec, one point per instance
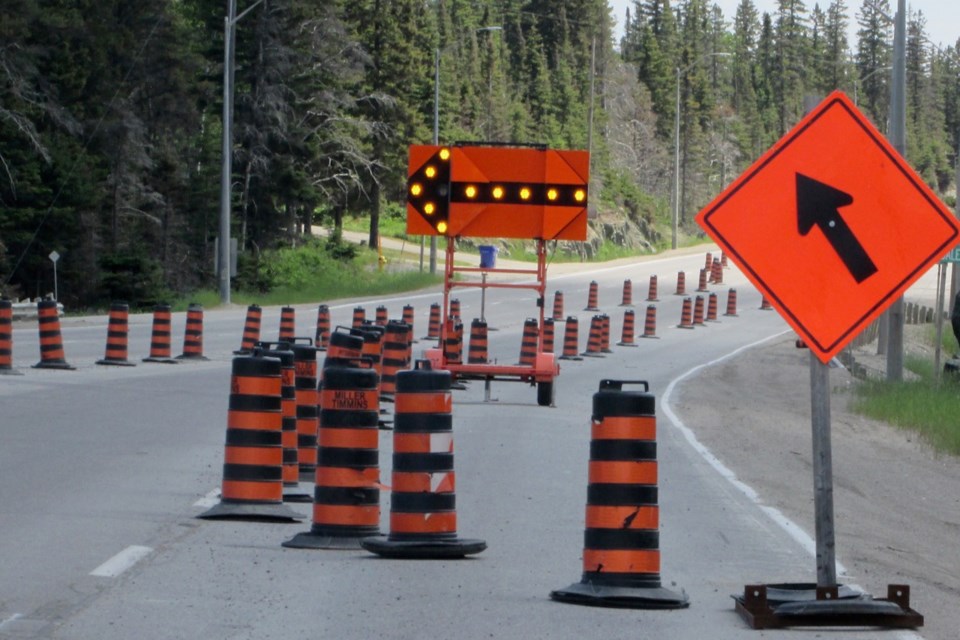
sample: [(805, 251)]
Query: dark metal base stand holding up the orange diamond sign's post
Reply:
[(806, 605)]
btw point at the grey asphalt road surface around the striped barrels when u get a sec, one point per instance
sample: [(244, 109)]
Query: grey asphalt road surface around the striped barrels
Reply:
[(104, 469)]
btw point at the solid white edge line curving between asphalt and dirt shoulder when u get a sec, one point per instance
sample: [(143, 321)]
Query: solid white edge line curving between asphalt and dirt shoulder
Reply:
[(794, 530)]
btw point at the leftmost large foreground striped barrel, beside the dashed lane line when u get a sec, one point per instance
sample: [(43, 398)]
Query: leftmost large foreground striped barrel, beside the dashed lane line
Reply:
[(253, 455)]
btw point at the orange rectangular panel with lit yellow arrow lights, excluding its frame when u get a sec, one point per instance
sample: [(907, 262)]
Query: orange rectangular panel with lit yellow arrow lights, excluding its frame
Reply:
[(502, 192)]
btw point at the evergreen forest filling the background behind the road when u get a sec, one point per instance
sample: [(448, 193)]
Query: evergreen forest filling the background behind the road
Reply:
[(111, 115)]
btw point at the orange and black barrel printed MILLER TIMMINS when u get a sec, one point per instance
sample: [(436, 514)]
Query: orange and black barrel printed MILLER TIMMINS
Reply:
[(346, 498)]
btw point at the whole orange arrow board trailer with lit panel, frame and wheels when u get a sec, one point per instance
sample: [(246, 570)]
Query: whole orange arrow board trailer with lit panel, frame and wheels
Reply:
[(497, 191)]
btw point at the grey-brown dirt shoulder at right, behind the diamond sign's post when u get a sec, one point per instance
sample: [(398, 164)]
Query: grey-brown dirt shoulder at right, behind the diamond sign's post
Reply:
[(896, 501)]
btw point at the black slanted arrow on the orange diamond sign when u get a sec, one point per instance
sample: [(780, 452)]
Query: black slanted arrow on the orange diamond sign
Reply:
[(819, 204)]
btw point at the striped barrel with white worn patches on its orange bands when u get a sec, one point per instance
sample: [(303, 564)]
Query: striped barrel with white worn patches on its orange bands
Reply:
[(423, 516)]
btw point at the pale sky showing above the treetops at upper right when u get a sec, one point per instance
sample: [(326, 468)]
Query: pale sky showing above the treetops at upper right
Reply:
[(943, 16)]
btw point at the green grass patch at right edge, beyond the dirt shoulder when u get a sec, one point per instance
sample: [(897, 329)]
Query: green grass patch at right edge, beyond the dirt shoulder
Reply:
[(921, 404)]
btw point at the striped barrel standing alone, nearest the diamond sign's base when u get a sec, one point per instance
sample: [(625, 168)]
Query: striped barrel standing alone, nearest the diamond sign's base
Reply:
[(621, 556)]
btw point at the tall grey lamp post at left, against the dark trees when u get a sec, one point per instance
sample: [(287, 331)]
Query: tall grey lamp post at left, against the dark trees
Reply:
[(223, 248)]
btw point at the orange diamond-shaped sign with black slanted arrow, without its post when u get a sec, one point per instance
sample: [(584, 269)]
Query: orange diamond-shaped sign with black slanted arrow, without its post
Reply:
[(831, 224)]
